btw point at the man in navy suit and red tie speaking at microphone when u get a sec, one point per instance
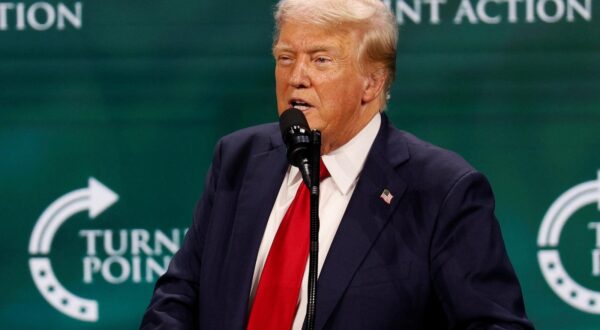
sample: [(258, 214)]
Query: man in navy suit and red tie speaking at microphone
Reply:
[(408, 236)]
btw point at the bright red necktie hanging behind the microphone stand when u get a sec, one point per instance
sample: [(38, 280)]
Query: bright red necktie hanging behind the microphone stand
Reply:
[(276, 298)]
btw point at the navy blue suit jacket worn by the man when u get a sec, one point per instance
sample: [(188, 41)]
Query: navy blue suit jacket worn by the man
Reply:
[(433, 258)]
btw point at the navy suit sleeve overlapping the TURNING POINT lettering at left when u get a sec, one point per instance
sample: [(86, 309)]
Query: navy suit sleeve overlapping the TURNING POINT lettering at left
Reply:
[(174, 303)]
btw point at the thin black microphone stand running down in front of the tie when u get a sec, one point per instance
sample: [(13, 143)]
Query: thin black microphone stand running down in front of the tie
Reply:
[(311, 306)]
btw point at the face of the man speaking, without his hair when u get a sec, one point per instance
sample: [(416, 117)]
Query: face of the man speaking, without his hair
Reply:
[(317, 72)]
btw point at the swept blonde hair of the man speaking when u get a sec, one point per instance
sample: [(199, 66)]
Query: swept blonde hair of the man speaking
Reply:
[(372, 17)]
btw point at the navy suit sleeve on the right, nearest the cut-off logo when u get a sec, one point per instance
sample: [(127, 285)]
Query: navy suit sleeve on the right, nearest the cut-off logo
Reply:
[(471, 272)]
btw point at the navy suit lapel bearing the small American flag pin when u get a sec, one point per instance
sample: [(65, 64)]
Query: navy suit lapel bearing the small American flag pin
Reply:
[(366, 216)]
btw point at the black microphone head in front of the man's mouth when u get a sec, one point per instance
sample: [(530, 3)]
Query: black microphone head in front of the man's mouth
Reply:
[(296, 135)]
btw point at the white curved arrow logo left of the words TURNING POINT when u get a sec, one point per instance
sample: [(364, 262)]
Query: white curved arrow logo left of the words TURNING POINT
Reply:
[(95, 198)]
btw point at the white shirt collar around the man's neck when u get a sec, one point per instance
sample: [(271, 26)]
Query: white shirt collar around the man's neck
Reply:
[(345, 163)]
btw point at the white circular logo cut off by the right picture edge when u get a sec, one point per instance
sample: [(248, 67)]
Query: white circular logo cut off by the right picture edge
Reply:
[(571, 292)]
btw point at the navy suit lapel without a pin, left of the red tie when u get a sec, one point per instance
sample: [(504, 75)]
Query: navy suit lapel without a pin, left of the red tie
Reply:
[(261, 184)]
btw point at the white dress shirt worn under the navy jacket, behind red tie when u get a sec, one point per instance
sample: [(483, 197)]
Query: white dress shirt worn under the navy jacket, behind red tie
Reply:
[(344, 164)]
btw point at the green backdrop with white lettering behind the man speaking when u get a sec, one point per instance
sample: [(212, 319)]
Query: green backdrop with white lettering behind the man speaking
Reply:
[(137, 94)]
